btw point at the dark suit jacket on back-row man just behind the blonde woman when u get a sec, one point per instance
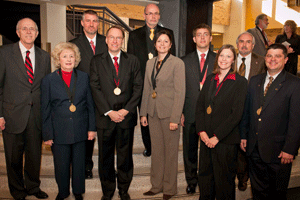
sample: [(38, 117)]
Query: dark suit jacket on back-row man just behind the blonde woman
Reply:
[(86, 51)]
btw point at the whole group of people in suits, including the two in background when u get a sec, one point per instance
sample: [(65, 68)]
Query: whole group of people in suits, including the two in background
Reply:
[(243, 108)]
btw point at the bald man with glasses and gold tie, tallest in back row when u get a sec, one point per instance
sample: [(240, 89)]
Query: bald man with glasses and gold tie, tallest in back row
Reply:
[(141, 44)]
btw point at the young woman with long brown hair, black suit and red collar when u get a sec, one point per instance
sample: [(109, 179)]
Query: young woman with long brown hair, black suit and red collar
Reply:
[(218, 113)]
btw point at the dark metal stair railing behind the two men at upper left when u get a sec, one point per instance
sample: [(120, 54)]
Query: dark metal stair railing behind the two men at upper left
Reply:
[(106, 16)]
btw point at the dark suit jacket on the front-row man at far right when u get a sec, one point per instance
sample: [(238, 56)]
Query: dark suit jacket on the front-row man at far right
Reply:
[(277, 128)]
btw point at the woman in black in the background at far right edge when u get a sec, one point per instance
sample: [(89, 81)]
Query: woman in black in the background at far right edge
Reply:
[(291, 40)]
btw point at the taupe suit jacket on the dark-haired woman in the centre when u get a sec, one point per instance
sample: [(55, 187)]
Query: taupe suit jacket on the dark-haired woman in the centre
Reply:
[(170, 90)]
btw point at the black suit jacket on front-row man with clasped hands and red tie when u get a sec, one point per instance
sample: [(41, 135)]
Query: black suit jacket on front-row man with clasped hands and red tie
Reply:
[(103, 85)]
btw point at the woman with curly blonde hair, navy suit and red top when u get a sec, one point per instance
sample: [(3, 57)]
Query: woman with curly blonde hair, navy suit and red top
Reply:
[(68, 118)]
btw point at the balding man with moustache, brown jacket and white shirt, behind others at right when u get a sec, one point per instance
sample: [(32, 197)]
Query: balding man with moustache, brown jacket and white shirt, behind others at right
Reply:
[(248, 64)]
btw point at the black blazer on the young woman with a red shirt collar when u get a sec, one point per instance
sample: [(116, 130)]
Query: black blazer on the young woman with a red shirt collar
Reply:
[(227, 109)]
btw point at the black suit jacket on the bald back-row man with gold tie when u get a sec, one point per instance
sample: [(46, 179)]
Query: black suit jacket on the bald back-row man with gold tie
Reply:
[(137, 45)]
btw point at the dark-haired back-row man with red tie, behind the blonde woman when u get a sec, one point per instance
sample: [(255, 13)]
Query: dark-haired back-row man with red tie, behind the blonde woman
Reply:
[(89, 43)]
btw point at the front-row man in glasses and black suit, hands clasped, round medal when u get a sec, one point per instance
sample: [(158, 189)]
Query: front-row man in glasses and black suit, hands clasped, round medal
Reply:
[(116, 85)]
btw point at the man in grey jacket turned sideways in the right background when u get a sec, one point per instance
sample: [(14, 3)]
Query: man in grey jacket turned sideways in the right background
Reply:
[(259, 34)]
